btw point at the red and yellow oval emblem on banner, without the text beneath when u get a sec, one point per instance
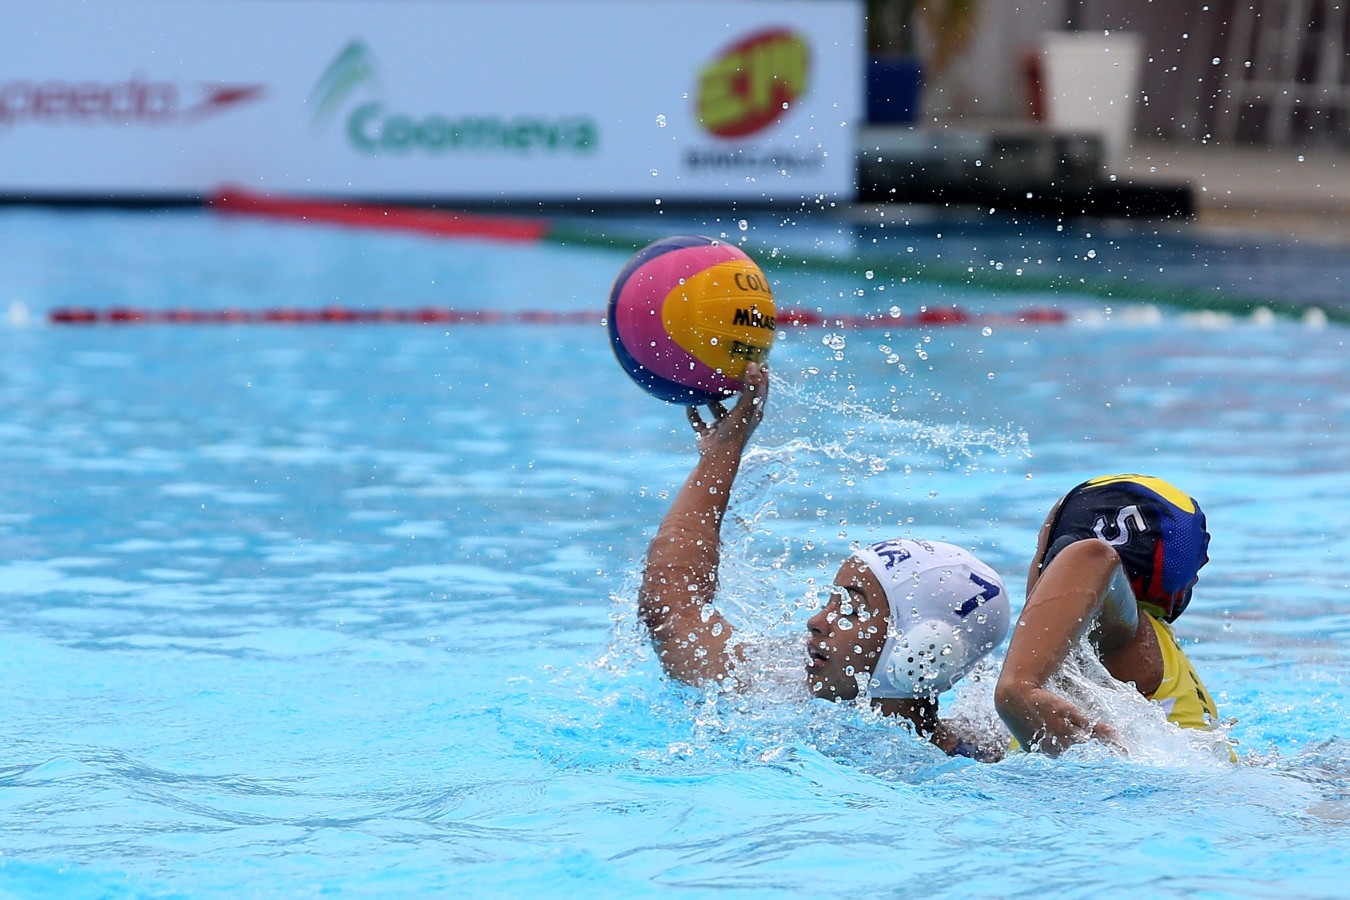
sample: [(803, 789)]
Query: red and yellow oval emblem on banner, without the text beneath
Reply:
[(754, 83)]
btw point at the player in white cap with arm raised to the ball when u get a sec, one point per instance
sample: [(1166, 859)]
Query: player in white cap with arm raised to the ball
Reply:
[(907, 619)]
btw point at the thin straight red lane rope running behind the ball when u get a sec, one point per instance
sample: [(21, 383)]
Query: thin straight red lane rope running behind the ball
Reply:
[(446, 316)]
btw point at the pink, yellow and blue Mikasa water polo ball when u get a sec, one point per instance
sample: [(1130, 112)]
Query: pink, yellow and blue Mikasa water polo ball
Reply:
[(685, 318)]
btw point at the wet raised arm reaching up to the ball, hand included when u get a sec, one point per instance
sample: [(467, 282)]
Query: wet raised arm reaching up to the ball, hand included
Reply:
[(680, 581)]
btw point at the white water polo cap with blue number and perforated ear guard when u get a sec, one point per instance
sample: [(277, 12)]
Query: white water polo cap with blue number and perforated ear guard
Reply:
[(948, 612)]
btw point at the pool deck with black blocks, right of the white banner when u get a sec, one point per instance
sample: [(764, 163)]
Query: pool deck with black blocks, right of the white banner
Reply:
[(1023, 167)]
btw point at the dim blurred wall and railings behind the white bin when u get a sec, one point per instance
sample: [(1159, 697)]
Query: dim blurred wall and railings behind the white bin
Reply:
[(1233, 71)]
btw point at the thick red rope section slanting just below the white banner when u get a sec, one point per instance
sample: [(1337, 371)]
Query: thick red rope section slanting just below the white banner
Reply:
[(427, 222)]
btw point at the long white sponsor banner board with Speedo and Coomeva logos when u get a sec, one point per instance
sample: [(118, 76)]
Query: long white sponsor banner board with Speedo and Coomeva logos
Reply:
[(550, 101)]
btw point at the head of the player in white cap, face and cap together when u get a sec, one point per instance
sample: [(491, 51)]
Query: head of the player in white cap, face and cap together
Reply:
[(913, 619)]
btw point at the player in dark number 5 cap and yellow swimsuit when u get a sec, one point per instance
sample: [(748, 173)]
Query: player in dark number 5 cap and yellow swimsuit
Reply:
[(1117, 561)]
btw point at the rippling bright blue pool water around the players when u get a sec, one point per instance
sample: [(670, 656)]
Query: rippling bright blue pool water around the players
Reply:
[(348, 611)]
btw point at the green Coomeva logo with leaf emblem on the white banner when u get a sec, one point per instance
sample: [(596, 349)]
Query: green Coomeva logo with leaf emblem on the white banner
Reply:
[(372, 128)]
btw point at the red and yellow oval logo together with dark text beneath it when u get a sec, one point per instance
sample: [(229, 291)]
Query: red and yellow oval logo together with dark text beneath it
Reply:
[(746, 90)]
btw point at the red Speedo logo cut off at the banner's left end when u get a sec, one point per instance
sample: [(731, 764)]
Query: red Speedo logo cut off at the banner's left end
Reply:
[(119, 103)]
